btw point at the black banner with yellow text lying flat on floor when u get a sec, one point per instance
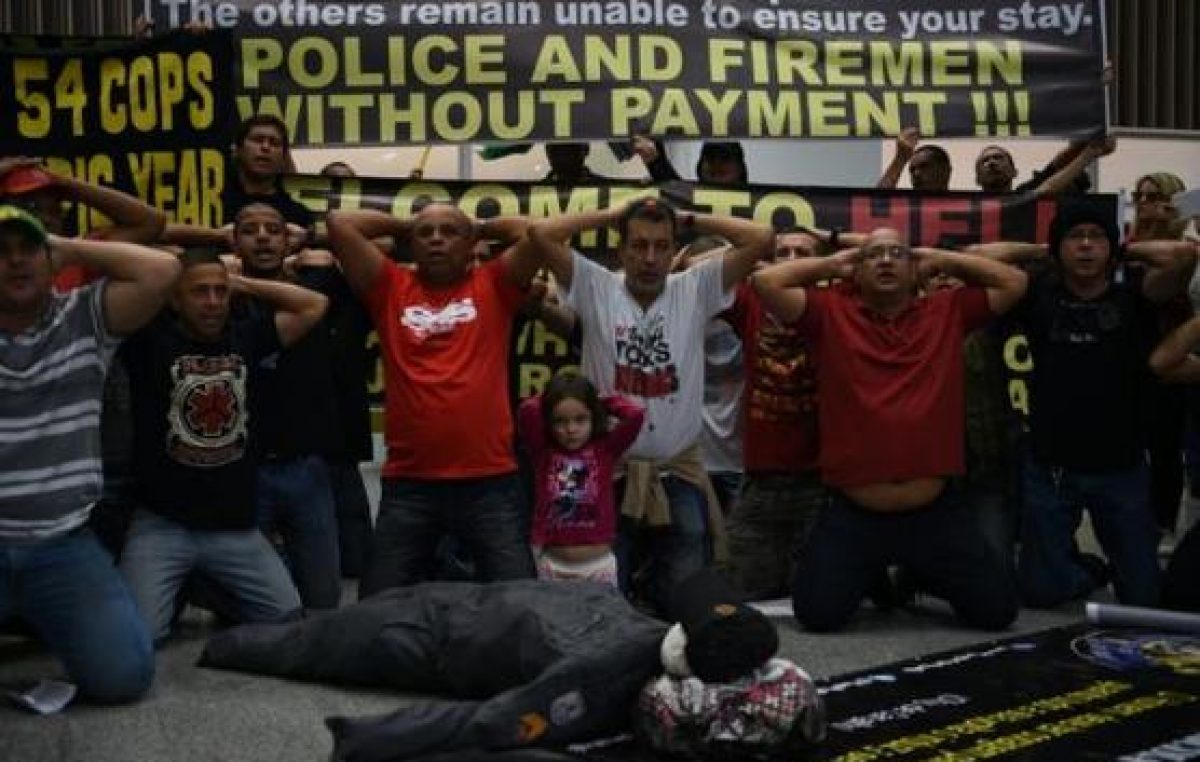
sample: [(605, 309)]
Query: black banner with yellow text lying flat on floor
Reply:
[(1066, 694)]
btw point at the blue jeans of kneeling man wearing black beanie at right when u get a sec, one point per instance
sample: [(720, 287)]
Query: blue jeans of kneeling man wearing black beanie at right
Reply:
[(1048, 565)]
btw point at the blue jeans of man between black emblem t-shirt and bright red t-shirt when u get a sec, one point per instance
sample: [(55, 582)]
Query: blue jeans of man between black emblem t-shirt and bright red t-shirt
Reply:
[(296, 499)]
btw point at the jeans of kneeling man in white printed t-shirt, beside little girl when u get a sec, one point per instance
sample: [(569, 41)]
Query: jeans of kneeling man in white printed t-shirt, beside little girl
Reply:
[(671, 554)]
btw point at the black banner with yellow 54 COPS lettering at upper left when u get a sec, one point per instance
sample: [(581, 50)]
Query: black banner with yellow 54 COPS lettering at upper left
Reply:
[(154, 118)]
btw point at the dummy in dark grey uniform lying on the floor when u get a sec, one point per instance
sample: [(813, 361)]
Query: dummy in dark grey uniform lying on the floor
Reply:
[(531, 665)]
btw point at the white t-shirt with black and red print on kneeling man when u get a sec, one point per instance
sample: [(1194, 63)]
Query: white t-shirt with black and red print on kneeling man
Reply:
[(653, 356)]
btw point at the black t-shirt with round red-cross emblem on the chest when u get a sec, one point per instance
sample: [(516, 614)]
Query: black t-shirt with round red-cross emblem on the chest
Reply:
[(194, 434)]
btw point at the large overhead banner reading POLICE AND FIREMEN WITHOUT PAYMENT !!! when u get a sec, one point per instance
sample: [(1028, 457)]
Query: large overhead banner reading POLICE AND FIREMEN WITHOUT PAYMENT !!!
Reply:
[(417, 73)]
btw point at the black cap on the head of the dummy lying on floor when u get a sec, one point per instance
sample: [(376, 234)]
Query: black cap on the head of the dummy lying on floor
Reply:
[(727, 639)]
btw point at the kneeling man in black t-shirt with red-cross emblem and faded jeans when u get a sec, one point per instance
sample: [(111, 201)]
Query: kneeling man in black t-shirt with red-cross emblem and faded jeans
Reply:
[(193, 376)]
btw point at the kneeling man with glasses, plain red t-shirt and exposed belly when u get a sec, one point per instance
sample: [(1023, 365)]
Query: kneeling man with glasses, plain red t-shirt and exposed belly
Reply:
[(890, 388)]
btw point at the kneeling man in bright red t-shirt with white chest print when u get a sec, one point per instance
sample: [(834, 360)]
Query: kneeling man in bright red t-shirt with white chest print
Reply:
[(443, 329)]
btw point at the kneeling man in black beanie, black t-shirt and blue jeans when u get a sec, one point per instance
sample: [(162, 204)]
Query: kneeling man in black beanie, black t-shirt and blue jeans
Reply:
[(1090, 335)]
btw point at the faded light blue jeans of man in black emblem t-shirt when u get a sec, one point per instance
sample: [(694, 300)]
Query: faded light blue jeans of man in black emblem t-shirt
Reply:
[(160, 554)]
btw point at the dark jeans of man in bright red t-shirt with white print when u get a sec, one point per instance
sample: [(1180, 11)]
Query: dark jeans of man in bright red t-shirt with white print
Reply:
[(415, 514)]
